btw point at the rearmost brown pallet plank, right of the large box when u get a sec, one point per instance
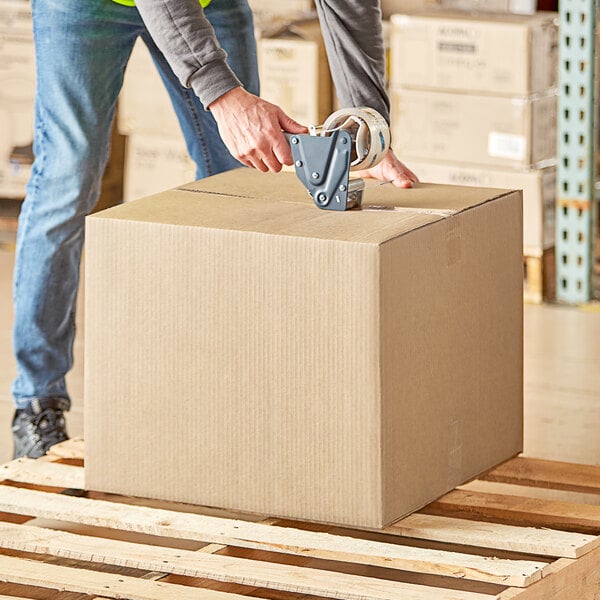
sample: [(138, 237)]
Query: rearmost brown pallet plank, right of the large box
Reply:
[(548, 474)]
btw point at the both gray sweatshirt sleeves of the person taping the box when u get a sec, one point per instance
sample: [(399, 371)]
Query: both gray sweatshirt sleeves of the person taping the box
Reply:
[(351, 28)]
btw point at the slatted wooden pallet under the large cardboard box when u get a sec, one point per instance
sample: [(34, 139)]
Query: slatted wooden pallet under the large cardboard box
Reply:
[(528, 530)]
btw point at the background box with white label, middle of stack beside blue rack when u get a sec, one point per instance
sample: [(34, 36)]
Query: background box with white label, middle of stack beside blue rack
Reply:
[(481, 130)]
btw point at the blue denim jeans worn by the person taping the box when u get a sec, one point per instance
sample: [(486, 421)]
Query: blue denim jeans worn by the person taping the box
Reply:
[(82, 49)]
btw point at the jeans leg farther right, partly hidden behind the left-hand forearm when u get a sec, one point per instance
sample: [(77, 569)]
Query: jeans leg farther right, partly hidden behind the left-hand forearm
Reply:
[(233, 25)]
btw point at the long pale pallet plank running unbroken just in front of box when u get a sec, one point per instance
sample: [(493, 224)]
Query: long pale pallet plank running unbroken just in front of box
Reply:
[(268, 537)]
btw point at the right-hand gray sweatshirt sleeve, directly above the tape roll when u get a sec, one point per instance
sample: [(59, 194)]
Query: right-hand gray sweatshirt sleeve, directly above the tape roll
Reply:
[(353, 36)]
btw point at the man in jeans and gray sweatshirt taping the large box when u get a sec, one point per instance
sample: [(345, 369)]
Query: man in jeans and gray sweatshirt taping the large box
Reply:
[(207, 60)]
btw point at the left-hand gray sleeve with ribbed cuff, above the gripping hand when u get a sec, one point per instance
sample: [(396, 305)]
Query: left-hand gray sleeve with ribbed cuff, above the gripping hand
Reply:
[(187, 39)]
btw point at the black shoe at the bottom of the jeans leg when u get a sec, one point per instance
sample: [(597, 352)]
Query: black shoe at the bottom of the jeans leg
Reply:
[(39, 426)]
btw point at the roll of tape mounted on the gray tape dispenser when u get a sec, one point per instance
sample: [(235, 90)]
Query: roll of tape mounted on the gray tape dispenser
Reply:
[(369, 131)]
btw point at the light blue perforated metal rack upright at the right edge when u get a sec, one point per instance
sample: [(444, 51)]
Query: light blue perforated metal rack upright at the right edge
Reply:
[(576, 206)]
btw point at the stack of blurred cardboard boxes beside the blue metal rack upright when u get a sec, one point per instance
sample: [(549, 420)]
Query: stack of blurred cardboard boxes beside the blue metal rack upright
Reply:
[(474, 102)]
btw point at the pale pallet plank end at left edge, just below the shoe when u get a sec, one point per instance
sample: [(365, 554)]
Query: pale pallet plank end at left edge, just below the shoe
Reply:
[(39, 472)]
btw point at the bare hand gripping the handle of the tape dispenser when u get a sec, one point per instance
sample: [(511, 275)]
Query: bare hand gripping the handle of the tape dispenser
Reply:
[(252, 130)]
